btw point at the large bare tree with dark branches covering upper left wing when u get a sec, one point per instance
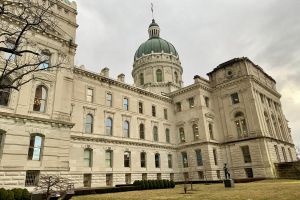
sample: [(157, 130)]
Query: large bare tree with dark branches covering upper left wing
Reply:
[(21, 22)]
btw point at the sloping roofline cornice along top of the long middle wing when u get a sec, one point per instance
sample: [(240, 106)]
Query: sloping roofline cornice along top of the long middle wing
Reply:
[(101, 78)]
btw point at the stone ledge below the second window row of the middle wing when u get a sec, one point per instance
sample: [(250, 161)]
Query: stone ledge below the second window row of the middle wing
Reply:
[(123, 142)]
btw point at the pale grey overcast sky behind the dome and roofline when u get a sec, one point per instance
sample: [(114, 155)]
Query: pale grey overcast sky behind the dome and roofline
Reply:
[(204, 33)]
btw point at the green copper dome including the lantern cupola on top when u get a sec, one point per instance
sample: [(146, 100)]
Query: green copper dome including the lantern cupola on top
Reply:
[(155, 44)]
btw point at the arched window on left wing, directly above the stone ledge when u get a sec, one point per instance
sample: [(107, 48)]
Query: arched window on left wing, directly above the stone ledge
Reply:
[(40, 99)]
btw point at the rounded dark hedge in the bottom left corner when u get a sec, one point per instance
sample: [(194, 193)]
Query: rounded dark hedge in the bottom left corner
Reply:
[(14, 194)]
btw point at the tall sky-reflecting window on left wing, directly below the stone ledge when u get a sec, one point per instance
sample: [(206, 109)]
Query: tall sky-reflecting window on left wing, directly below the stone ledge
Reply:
[(35, 147)]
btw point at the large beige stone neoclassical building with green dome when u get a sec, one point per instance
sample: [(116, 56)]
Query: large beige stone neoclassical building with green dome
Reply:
[(101, 131)]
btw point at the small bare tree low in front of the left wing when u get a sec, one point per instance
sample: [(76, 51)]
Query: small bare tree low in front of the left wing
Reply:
[(52, 184)]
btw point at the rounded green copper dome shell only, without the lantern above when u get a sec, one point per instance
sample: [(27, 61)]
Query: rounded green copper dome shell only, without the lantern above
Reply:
[(157, 45)]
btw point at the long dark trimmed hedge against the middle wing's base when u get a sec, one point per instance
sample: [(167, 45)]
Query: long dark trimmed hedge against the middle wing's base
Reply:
[(153, 184)]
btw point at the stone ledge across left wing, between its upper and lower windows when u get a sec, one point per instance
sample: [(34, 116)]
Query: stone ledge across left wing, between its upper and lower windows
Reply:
[(24, 118)]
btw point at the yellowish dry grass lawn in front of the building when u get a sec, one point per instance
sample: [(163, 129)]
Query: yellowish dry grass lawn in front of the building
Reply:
[(260, 190)]
